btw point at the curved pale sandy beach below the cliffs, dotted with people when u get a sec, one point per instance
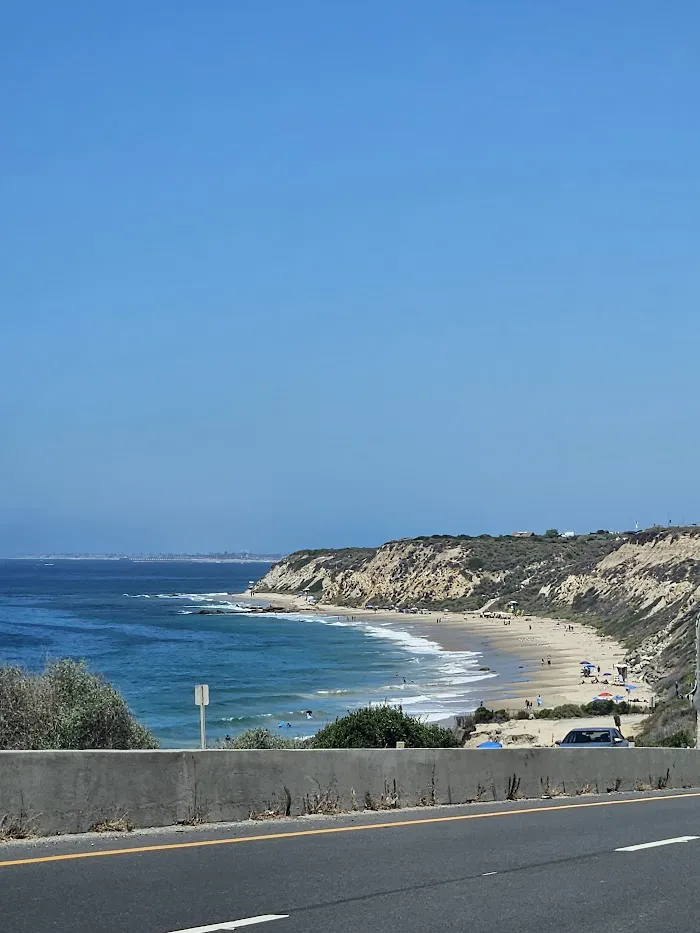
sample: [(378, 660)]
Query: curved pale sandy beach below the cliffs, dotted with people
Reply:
[(547, 651)]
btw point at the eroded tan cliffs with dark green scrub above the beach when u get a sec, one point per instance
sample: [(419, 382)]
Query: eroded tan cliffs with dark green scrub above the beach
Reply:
[(641, 587)]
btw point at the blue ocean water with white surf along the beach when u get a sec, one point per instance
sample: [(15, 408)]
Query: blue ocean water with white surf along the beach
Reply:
[(138, 623)]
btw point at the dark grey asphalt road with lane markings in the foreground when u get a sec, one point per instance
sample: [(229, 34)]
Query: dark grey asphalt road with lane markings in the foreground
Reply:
[(546, 866)]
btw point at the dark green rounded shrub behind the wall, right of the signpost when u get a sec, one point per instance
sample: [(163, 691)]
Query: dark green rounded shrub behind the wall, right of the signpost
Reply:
[(382, 727)]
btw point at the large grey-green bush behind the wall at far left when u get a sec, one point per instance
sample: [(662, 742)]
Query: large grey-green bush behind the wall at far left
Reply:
[(65, 706)]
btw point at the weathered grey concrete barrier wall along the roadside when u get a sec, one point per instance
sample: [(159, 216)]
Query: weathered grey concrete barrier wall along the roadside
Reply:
[(69, 791)]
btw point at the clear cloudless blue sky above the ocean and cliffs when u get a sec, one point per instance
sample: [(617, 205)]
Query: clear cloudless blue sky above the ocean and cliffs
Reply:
[(280, 274)]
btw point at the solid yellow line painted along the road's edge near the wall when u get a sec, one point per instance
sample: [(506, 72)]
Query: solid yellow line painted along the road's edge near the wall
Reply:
[(199, 844)]
